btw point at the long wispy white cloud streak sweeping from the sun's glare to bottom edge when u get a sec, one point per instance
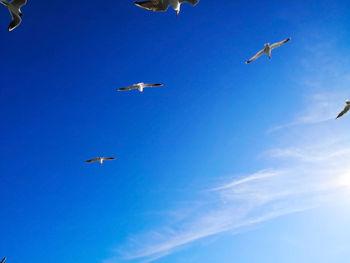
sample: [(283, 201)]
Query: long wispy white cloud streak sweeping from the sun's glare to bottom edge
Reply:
[(307, 183)]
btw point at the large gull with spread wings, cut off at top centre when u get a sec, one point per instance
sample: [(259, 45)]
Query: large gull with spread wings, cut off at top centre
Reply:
[(163, 5)]
